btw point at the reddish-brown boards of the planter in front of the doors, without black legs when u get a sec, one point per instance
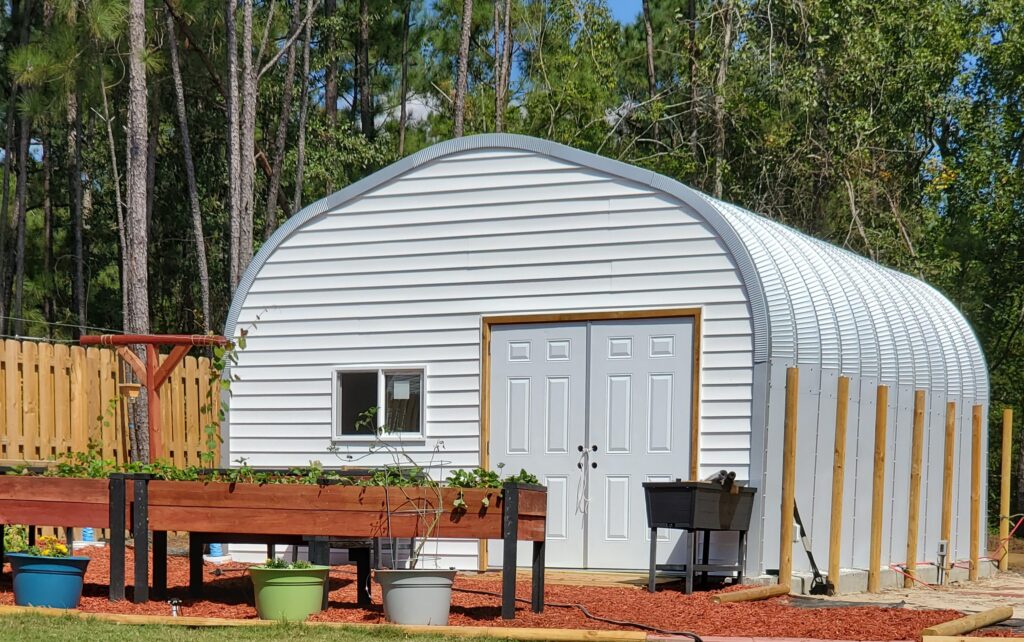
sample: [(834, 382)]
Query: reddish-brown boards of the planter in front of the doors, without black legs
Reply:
[(342, 511)]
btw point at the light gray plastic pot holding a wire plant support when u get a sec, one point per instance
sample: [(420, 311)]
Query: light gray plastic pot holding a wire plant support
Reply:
[(416, 596)]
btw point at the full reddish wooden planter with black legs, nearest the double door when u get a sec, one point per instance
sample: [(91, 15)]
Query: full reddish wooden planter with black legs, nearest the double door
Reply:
[(317, 515)]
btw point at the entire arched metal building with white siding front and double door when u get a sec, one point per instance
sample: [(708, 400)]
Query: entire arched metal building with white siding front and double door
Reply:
[(511, 302)]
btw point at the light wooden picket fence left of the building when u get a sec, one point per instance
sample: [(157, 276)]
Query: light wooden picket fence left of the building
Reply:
[(56, 398)]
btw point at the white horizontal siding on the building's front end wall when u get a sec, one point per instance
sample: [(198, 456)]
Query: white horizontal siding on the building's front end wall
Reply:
[(404, 274)]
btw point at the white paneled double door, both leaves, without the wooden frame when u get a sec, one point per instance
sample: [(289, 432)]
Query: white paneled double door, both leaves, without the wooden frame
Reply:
[(594, 409)]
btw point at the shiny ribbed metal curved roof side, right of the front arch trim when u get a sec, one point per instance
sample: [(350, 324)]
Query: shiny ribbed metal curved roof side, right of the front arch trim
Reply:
[(831, 308)]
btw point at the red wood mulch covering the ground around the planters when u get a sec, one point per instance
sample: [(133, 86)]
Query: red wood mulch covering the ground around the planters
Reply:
[(230, 595)]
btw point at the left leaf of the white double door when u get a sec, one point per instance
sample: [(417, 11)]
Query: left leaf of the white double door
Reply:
[(538, 420)]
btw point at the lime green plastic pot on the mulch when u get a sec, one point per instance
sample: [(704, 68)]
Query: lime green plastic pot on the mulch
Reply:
[(288, 594)]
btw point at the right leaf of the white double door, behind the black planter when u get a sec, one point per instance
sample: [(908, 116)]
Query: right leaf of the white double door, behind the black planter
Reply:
[(642, 374)]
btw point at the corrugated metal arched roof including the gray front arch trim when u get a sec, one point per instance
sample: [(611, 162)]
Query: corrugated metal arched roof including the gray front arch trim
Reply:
[(812, 303)]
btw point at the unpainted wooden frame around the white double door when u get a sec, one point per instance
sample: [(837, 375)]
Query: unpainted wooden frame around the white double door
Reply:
[(554, 318)]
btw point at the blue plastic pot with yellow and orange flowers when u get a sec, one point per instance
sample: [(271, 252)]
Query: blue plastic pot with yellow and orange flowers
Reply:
[(51, 582)]
